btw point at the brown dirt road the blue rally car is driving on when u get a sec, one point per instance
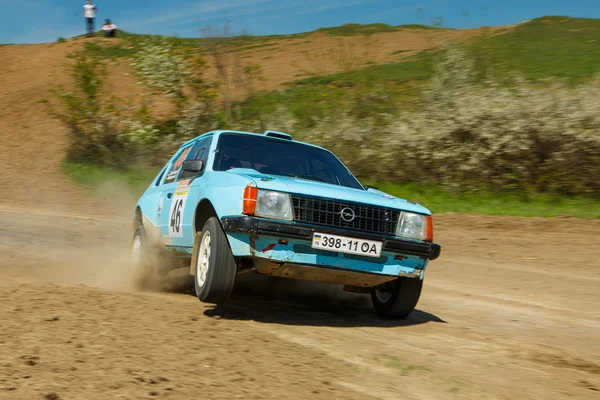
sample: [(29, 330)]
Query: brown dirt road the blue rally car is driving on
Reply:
[(511, 310)]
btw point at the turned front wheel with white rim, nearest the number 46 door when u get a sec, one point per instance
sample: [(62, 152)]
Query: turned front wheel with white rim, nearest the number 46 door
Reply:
[(215, 272)]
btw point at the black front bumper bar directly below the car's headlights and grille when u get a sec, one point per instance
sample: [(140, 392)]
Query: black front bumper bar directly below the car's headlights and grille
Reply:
[(259, 226)]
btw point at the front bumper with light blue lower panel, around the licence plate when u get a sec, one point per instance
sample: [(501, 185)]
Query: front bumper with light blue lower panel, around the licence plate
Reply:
[(289, 243)]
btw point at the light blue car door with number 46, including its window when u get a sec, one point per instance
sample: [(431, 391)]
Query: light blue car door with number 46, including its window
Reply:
[(180, 196)]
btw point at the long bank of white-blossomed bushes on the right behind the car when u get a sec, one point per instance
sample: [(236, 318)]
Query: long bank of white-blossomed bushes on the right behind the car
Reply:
[(470, 134)]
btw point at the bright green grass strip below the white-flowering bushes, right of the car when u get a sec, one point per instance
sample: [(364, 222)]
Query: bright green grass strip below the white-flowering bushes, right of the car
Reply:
[(515, 204)]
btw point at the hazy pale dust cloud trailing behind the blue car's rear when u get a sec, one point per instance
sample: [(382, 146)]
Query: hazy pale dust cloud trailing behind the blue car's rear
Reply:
[(62, 247)]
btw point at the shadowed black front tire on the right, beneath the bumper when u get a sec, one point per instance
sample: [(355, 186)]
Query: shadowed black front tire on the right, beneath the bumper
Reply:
[(396, 299)]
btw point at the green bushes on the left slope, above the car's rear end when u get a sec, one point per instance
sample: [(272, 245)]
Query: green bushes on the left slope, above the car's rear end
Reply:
[(106, 130)]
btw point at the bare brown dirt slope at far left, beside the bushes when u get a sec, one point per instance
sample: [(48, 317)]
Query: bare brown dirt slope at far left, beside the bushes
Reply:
[(32, 143)]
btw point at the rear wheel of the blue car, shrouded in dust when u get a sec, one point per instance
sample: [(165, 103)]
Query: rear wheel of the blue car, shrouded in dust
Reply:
[(148, 266)]
